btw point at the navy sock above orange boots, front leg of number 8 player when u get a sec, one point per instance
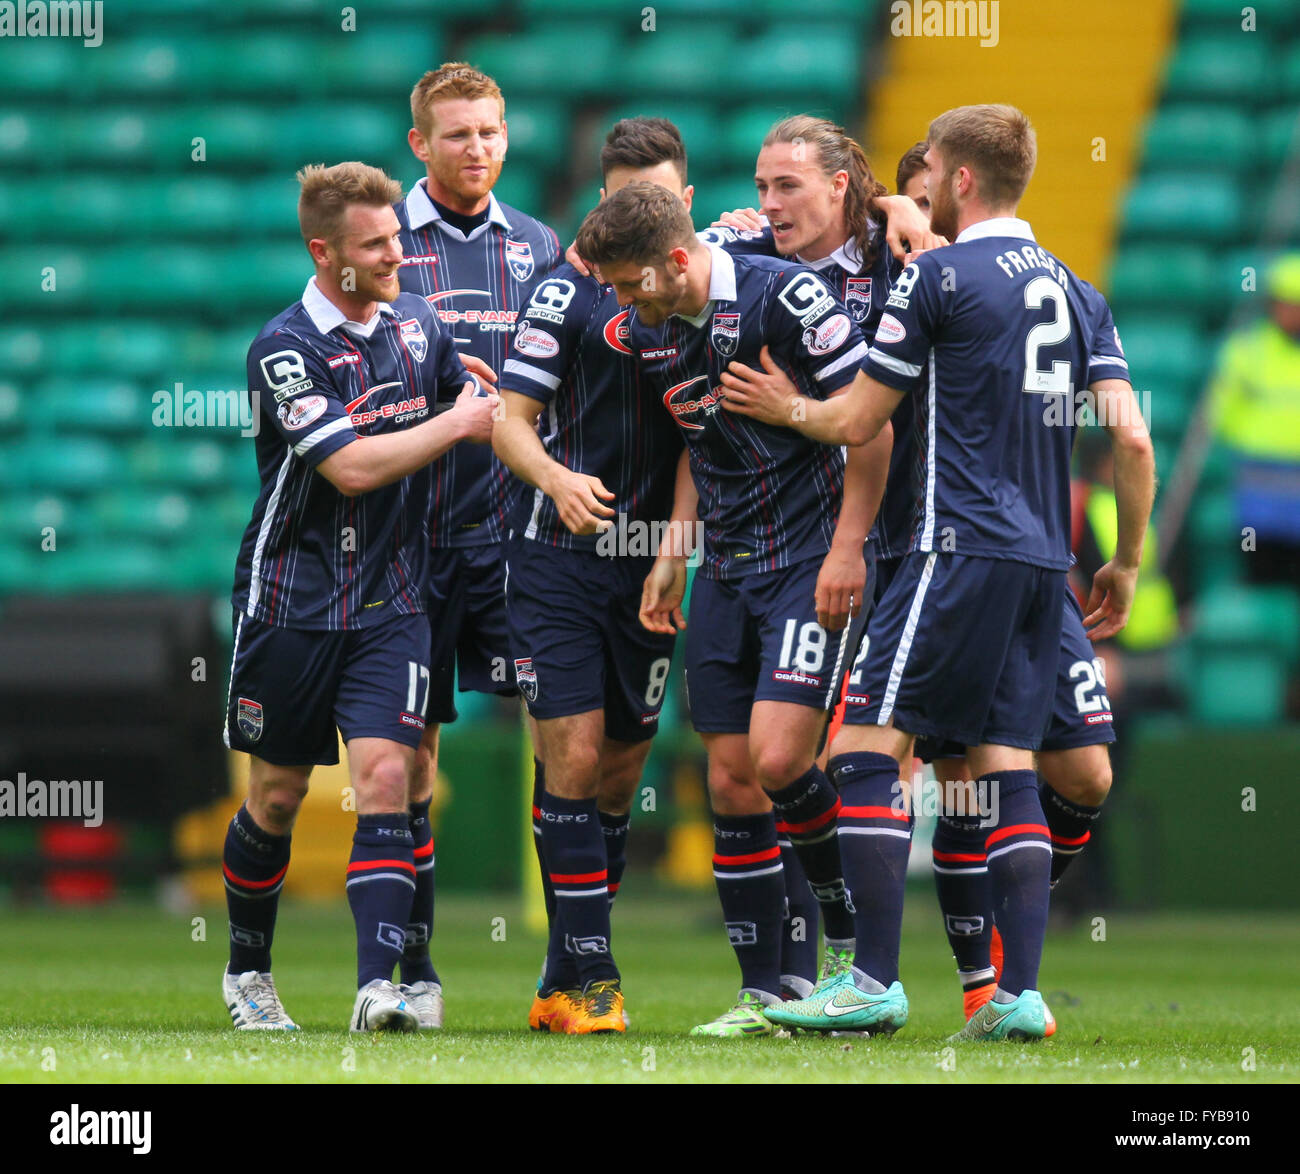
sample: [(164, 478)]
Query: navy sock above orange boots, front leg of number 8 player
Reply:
[(574, 847)]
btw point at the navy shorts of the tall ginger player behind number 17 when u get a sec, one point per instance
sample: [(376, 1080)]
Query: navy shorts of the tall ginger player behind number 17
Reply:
[(467, 618)]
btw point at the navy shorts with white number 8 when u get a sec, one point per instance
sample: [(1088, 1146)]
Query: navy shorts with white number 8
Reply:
[(577, 642)]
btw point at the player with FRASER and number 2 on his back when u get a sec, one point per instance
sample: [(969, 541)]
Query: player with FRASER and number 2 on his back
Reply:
[(965, 643)]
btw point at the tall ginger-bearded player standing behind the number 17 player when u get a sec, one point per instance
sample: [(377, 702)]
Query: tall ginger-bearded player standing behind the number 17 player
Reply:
[(475, 261)]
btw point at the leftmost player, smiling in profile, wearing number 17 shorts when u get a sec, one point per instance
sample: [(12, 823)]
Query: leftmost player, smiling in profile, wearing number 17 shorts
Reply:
[(331, 627)]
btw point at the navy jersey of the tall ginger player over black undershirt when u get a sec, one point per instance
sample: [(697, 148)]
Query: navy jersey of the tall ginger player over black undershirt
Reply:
[(478, 287)]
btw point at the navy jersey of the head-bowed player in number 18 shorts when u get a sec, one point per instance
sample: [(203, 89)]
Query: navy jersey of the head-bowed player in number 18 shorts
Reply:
[(769, 497)]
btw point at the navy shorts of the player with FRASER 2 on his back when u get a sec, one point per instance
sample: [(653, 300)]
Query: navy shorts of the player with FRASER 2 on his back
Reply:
[(965, 649)]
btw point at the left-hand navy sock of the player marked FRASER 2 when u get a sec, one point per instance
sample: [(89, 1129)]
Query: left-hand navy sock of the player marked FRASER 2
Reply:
[(876, 839)]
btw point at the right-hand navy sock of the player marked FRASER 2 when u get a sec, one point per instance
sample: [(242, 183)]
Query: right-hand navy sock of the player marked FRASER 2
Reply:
[(1020, 869)]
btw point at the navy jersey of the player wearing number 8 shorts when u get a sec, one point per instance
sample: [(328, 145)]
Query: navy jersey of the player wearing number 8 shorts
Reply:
[(571, 353)]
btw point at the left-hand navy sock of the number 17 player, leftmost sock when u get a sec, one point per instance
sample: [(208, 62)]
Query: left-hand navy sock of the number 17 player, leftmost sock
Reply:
[(254, 864)]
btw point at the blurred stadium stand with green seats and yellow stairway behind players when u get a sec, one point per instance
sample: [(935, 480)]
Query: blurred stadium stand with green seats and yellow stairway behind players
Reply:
[(148, 231)]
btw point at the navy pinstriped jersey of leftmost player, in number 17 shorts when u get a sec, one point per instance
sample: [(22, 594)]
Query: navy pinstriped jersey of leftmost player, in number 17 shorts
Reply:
[(311, 557)]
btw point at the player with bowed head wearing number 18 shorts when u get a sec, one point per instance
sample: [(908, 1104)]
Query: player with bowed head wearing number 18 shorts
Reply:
[(783, 570)]
